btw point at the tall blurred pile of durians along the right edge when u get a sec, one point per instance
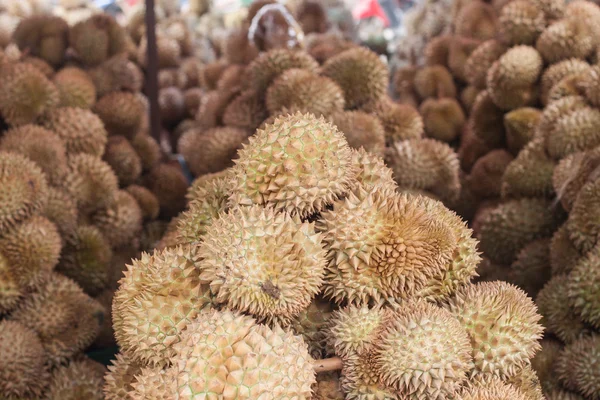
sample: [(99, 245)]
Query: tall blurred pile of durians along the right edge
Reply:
[(528, 156)]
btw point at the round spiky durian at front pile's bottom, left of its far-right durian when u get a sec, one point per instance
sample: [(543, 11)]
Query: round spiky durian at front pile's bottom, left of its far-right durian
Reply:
[(425, 352)]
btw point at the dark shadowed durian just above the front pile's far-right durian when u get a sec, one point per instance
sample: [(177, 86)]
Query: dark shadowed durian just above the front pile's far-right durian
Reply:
[(530, 269)]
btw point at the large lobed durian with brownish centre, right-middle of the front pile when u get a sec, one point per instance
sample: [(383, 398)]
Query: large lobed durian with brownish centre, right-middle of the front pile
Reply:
[(381, 245)]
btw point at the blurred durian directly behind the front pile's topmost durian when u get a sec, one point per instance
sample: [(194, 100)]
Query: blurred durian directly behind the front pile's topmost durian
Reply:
[(305, 91)]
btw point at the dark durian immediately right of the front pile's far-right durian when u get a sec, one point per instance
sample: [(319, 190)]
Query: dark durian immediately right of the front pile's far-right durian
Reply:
[(559, 317)]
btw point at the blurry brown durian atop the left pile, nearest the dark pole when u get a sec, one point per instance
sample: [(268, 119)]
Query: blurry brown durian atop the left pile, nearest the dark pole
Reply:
[(97, 39)]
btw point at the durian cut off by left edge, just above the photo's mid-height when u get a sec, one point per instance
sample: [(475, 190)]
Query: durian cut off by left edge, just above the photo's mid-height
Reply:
[(23, 189)]
